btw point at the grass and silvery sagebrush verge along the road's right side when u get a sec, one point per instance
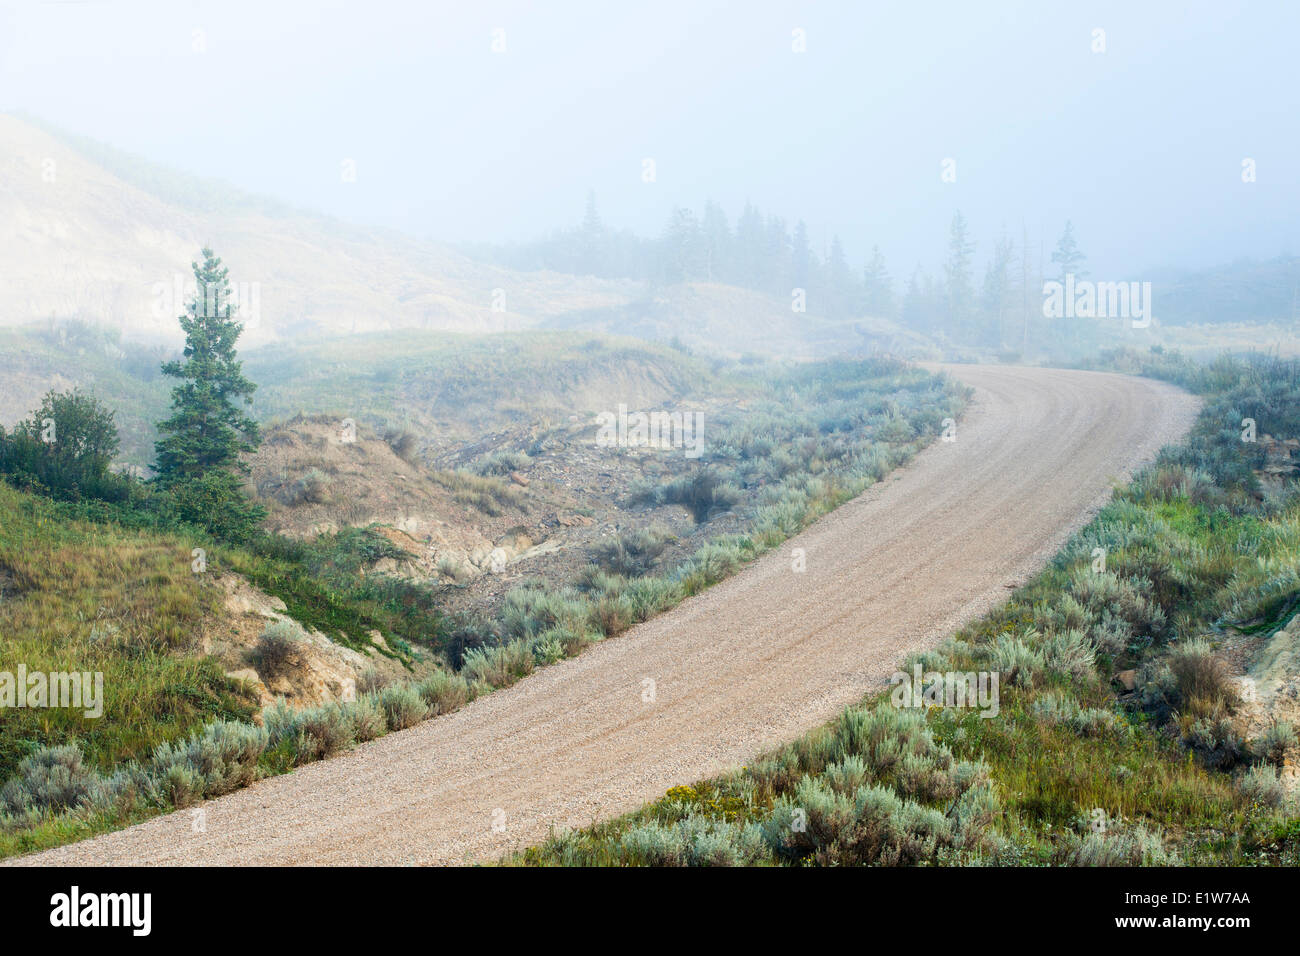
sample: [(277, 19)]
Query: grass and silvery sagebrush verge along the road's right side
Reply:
[(1074, 769)]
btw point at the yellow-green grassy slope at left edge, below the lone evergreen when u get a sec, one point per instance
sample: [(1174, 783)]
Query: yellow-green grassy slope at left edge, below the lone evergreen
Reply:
[(90, 598)]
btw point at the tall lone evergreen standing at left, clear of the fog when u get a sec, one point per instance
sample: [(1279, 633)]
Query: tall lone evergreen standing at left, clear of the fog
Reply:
[(198, 458)]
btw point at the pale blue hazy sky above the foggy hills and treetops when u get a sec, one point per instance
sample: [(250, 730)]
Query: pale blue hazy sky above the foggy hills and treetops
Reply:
[(1142, 145)]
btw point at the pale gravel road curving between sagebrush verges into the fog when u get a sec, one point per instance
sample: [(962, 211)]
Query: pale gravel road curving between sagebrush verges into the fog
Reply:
[(752, 663)]
